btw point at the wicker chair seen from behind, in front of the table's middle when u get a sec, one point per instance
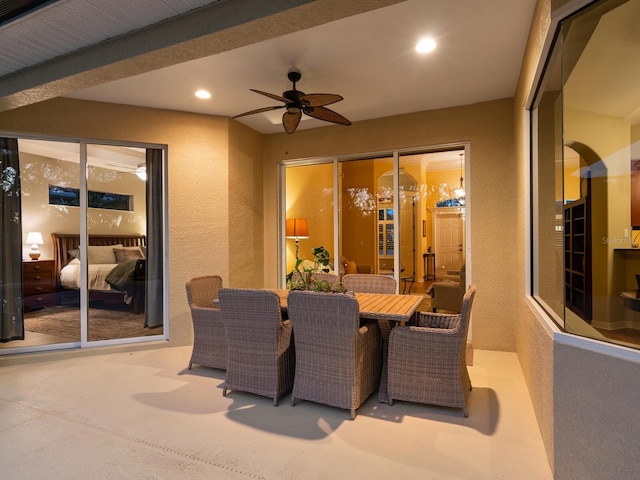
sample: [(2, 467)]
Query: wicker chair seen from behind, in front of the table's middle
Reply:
[(338, 362)]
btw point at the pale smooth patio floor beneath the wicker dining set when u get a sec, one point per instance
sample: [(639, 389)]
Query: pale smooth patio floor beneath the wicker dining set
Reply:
[(140, 414)]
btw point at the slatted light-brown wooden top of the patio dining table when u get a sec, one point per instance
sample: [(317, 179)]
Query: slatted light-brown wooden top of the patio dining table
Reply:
[(378, 306)]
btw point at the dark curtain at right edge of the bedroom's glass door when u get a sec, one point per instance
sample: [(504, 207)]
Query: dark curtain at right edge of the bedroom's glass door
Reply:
[(154, 279)]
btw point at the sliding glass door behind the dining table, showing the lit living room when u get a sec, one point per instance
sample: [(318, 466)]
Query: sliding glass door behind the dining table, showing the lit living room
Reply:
[(382, 214)]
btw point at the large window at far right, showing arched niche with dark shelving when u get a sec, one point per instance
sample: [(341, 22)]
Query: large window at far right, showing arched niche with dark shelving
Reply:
[(586, 202)]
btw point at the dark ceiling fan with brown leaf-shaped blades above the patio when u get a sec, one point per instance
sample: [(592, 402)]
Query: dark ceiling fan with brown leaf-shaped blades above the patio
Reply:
[(297, 103)]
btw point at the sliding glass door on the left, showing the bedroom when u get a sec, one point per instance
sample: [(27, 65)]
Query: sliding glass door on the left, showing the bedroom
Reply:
[(97, 223)]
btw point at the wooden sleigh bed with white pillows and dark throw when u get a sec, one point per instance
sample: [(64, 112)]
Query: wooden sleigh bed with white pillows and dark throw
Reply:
[(116, 267)]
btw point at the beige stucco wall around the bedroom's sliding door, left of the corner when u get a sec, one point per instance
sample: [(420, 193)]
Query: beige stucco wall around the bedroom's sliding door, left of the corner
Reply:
[(198, 171)]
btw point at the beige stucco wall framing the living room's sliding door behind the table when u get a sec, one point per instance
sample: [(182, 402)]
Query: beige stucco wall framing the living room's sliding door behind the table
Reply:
[(490, 193)]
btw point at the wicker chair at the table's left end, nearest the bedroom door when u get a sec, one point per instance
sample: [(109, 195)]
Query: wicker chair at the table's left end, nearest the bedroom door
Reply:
[(209, 338)]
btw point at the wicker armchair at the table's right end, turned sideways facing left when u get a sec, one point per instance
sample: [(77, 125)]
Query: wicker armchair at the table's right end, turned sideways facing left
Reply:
[(427, 363)]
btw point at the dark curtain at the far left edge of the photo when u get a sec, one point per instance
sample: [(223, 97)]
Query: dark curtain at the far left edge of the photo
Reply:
[(11, 321)]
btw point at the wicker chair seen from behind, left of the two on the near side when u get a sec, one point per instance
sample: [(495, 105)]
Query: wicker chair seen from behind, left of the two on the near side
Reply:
[(261, 353)]
